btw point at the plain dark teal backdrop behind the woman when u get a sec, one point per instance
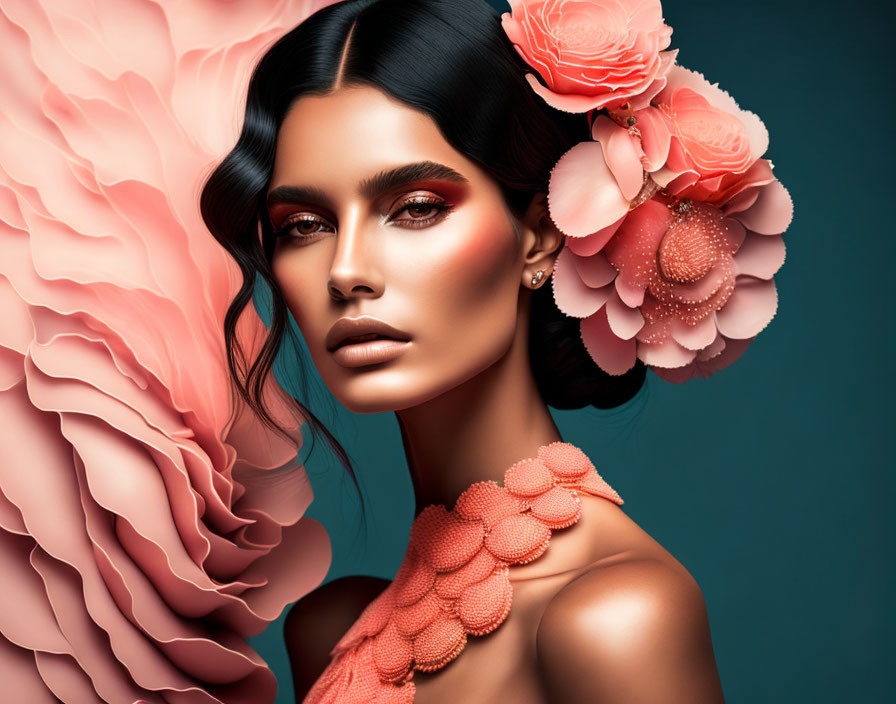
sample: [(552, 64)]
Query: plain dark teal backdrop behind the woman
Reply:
[(772, 482)]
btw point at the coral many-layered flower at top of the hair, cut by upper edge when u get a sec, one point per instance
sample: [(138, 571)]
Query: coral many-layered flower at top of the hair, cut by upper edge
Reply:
[(592, 54)]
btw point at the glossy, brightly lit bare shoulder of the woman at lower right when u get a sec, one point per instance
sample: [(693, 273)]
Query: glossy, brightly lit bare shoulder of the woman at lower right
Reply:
[(630, 631)]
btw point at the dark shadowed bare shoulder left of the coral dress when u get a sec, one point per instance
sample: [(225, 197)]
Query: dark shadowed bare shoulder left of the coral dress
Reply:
[(316, 622)]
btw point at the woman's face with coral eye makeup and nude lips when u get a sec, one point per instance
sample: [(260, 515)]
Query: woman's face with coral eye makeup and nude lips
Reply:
[(380, 218)]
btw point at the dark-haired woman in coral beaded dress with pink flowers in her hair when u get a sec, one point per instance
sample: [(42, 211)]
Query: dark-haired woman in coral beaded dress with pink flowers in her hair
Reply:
[(413, 186)]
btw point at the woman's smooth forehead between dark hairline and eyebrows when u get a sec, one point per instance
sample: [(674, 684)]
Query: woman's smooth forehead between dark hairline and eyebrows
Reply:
[(354, 131)]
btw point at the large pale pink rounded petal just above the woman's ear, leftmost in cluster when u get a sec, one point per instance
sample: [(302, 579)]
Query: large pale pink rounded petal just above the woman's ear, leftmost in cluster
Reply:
[(583, 196)]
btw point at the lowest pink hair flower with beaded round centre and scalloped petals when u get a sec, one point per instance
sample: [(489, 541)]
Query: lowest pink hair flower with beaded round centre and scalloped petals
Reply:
[(680, 285)]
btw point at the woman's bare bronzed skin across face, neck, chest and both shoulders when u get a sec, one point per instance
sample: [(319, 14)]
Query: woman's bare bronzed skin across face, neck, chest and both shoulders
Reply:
[(606, 615)]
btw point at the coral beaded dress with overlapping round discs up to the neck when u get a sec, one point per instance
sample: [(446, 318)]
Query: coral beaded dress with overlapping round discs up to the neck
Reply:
[(454, 581)]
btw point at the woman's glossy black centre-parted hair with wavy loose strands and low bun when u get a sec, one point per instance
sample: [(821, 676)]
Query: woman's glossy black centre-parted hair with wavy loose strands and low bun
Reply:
[(452, 60)]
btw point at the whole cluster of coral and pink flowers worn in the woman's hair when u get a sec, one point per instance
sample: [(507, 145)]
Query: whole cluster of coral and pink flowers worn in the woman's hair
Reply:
[(672, 218)]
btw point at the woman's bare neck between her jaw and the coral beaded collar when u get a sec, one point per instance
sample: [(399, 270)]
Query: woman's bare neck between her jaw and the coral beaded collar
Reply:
[(475, 431)]
